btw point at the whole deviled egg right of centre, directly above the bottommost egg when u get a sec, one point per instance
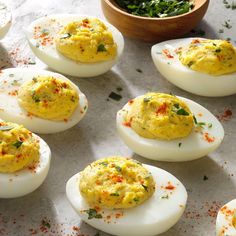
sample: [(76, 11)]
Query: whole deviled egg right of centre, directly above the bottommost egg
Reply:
[(168, 128)]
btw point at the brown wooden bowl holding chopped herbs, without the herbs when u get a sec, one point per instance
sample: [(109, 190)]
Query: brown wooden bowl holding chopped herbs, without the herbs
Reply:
[(153, 29)]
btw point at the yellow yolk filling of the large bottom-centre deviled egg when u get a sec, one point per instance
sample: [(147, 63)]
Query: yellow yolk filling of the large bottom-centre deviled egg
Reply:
[(116, 182)]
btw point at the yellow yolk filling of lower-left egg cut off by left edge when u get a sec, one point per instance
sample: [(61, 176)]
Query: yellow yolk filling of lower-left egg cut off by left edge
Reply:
[(18, 148)]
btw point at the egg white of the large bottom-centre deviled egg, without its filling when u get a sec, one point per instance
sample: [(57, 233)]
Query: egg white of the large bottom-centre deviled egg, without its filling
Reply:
[(156, 215)]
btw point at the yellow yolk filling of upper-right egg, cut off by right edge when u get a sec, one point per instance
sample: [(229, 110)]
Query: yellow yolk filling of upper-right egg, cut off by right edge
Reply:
[(215, 57)]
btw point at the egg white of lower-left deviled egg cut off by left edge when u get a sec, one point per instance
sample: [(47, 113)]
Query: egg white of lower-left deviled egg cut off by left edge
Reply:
[(25, 181)]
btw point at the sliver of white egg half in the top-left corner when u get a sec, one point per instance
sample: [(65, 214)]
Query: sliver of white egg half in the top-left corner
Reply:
[(5, 19)]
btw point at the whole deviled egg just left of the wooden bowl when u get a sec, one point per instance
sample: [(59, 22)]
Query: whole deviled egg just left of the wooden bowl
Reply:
[(75, 45)]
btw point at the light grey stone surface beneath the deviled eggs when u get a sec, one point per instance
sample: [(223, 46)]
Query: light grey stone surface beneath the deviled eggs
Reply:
[(95, 136)]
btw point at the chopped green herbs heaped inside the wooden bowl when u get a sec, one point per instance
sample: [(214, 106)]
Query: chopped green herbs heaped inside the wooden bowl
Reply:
[(156, 8)]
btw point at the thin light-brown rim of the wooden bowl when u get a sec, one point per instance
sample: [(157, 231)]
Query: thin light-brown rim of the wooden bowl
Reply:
[(108, 2)]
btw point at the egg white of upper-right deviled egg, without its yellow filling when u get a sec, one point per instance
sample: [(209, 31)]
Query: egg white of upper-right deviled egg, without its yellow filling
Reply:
[(183, 77)]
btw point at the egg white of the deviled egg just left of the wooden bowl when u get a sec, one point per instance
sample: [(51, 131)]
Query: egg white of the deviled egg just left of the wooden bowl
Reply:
[(55, 60)]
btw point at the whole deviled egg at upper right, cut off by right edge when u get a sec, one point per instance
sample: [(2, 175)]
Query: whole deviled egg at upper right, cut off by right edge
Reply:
[(200, 66)]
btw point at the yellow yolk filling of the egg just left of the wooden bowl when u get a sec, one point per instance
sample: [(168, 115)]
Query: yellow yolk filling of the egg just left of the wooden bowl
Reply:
[(87, 41)]
